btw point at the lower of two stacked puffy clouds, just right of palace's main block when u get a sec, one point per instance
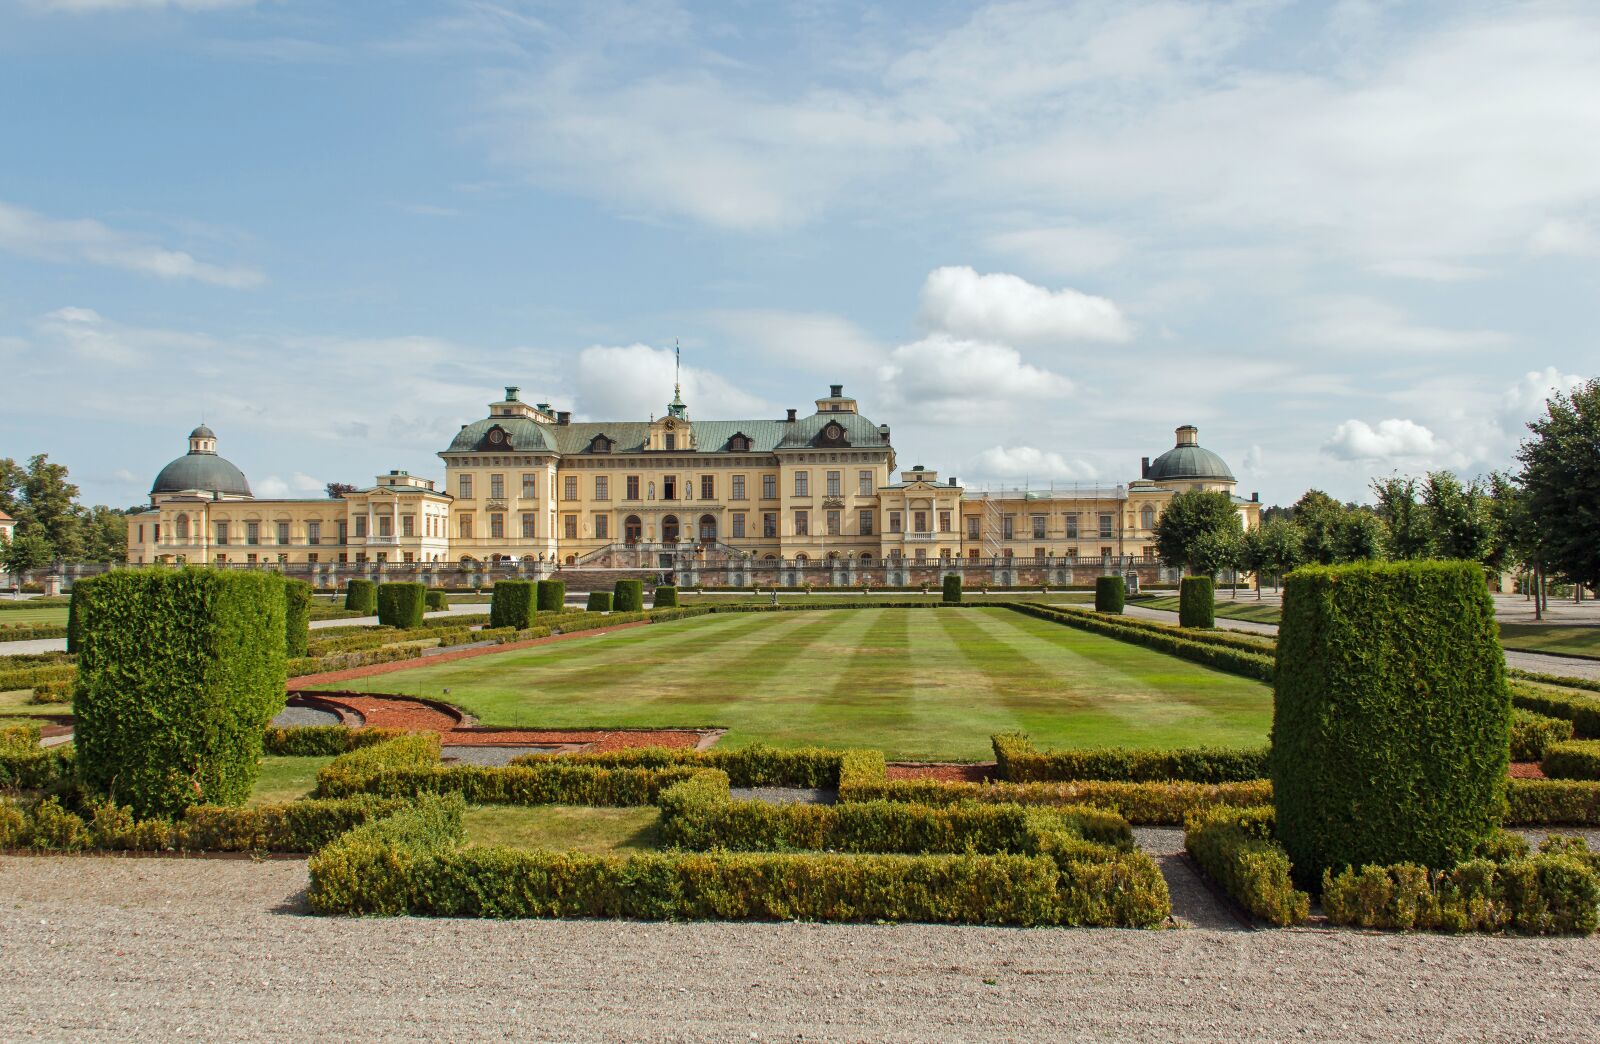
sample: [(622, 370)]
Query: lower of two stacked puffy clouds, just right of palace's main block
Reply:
[(948, 369)]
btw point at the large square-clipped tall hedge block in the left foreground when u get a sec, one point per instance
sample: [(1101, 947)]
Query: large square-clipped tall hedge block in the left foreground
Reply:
[(180, 673)]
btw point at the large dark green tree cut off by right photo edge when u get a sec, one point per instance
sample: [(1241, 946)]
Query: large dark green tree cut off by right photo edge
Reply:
[(1561, 476)]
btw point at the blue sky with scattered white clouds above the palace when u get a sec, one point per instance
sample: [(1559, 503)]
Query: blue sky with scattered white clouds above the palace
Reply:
[(1343, 239)]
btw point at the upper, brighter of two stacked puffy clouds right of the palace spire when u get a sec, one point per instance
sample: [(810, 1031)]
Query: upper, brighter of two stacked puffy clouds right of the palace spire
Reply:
[(1014, 311)]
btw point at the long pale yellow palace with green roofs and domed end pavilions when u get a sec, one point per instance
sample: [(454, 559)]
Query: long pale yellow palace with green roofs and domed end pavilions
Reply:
[(530, 486)]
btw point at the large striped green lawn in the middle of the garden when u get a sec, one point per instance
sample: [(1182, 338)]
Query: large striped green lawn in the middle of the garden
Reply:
[(918, 685)]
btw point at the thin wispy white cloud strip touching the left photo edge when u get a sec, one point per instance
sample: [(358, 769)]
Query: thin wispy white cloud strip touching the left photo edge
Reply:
[(49, 239)]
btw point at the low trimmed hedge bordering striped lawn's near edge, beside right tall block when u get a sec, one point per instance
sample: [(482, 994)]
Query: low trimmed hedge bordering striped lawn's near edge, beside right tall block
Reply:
[(1020, 763)]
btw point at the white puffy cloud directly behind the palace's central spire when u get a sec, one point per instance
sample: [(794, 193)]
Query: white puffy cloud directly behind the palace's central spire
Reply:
[(630, 383)]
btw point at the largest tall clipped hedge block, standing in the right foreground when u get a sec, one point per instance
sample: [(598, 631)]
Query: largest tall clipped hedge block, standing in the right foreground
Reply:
[(1391, 717)]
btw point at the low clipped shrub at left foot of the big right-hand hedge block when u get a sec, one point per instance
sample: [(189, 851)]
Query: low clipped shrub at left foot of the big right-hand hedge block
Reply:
[(1236, 849)]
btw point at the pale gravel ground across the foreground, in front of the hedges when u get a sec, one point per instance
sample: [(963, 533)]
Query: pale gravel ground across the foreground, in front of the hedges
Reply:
[(153, 949)]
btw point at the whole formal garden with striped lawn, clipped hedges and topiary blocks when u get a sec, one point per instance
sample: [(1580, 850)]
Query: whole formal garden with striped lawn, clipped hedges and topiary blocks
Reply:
[(943, 760)]
